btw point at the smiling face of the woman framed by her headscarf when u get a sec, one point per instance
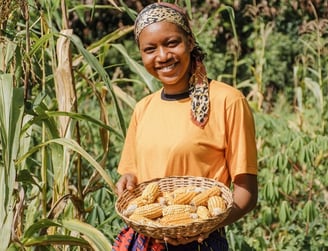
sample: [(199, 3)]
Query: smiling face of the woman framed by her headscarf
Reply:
[(165, 51)]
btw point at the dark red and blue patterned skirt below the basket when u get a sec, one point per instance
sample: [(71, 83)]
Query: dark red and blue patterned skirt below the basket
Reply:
[(129, 240)]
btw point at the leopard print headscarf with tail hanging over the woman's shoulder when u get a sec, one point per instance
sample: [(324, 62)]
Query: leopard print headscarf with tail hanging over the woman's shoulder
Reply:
[(198, 82)]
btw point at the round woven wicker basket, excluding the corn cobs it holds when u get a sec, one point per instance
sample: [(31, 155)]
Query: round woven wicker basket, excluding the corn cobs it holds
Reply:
[(169, 184)]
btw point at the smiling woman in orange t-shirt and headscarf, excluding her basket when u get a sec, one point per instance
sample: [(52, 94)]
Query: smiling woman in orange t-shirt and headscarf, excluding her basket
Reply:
[(192, 126)]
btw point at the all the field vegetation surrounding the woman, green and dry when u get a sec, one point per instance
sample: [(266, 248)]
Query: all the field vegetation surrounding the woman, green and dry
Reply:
[(70, 75)]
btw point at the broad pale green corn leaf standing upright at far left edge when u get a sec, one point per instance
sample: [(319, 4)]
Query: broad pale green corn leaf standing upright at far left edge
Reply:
[(11, 114)]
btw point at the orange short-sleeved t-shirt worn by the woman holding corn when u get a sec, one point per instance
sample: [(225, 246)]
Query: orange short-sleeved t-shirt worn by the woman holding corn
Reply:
[(163, 141)]
